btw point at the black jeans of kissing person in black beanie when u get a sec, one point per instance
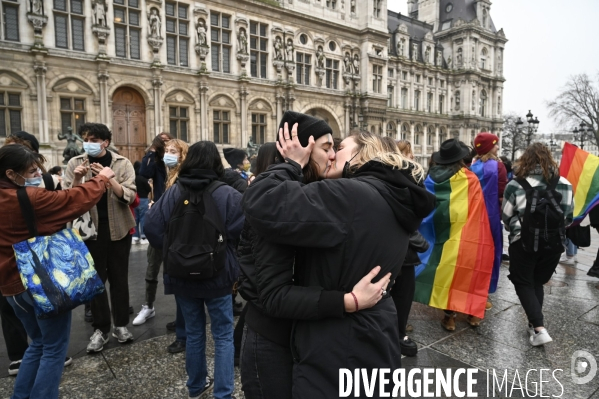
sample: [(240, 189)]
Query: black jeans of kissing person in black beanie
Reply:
[(266, 367)]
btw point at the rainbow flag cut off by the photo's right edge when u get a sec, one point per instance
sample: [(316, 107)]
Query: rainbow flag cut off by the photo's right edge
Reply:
[(581, 169)]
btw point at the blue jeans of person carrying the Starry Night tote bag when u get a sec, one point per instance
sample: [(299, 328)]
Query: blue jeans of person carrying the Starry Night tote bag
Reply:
[(41, 368)]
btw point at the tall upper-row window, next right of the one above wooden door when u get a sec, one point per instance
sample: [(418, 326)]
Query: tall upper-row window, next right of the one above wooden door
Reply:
[(177, 34)]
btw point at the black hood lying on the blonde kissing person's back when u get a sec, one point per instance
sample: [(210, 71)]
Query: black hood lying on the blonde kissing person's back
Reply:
[(410, 203)]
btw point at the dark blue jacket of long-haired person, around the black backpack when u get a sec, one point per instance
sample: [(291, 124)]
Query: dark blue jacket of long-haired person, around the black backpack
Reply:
[(228, 202)]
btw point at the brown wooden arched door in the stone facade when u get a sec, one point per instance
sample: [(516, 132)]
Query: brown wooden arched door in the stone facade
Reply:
[(129, 123)]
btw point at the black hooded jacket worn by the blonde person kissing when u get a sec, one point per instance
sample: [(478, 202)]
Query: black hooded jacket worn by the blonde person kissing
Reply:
[(341, 229)]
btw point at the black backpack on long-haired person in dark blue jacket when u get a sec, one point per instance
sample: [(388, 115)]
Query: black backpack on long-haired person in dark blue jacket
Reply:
[(196, 243)]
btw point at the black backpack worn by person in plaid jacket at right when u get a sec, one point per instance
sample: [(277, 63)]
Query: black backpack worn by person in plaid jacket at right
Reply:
[(543, 226)]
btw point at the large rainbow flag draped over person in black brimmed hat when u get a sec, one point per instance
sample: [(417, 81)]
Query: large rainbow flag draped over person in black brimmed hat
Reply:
[(456, 270)]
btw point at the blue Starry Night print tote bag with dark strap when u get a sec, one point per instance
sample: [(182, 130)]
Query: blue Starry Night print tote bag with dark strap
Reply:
[(58, 270)]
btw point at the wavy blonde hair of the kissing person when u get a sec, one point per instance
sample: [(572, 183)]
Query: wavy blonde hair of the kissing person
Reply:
[(372, 147)]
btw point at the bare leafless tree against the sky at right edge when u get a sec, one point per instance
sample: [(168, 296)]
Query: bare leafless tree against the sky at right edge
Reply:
[(578, 102)]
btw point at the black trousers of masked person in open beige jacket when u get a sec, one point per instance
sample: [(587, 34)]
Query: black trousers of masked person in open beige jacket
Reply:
[(111, 260)]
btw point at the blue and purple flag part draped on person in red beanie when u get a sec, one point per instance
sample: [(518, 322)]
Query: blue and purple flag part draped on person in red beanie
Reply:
[(488, 176)]
